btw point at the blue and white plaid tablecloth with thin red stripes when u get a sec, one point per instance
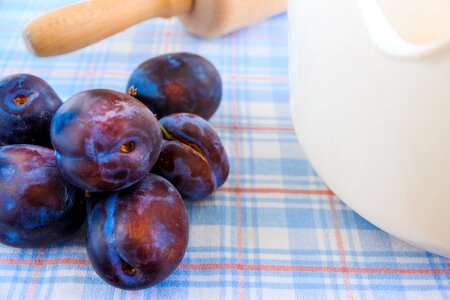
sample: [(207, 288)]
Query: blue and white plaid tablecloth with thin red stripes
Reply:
[(273, 231)]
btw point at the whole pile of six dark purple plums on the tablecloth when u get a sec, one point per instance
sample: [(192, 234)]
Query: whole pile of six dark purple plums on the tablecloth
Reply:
[(123, 161)]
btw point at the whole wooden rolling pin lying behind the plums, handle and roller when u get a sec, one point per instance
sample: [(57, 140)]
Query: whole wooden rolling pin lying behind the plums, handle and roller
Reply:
[(78, 25)]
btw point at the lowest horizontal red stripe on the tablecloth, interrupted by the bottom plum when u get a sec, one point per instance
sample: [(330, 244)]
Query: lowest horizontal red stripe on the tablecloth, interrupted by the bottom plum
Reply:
[(243, 267)]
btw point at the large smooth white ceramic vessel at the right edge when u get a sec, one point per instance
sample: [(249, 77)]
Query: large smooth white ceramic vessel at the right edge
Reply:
[(370, 98)]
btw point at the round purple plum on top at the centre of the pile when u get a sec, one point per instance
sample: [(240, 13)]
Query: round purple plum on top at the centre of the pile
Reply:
[(105, 140)]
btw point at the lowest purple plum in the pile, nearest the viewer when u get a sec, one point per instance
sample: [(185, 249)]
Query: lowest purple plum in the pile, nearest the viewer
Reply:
[(137, 237)]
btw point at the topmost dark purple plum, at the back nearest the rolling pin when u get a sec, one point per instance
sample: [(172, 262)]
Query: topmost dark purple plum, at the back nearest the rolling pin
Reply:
[(177, 82)]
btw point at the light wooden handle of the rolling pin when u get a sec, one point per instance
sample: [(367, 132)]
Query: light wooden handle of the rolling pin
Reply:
[(78, 25)]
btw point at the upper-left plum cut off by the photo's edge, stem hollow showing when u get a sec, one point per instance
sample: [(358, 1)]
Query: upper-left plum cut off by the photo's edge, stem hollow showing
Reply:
[(27, 104)]
